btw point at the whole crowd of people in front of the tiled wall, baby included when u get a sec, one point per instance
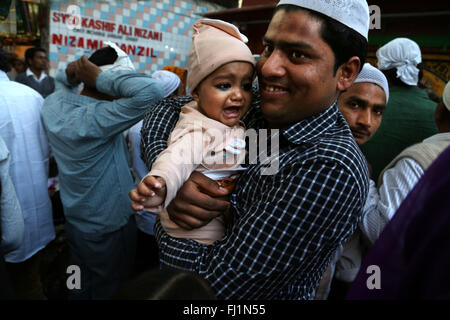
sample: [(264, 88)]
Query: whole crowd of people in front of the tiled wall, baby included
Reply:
[(168, 189)]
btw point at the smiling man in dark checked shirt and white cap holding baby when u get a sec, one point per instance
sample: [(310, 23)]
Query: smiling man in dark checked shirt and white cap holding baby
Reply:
[(286, 226)]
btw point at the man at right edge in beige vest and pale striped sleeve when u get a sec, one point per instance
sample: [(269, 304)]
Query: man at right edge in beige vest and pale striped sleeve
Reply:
[(396, 181)]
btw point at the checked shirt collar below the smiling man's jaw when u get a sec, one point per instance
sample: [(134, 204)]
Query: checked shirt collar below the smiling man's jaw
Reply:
[(311, 128)]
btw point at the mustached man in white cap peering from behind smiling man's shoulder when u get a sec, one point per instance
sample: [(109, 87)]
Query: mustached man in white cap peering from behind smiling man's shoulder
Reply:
[(362, 106)]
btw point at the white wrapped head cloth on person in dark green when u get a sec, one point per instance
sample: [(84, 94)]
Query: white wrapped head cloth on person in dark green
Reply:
[(404, 55)]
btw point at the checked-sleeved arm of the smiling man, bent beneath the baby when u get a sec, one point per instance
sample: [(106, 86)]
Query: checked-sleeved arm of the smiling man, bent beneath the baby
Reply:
[(284, 238)]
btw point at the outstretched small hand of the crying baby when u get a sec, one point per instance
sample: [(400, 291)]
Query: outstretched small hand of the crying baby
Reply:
[(151, 194)]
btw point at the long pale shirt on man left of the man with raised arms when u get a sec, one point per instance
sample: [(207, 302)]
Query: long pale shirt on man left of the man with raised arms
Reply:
[(21, 129)]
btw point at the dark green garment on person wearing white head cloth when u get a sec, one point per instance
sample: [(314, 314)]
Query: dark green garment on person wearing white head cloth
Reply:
[(408, 119)]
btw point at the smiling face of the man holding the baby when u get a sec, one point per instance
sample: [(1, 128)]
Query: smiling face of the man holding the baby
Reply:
[(295, 69)]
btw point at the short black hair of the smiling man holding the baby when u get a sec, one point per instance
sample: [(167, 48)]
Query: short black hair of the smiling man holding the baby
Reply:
[(343, 41)]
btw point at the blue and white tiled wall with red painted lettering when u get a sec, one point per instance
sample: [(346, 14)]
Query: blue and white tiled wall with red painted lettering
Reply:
[(153, 33)]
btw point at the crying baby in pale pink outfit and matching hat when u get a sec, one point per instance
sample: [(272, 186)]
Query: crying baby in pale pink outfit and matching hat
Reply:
[(209, 136)]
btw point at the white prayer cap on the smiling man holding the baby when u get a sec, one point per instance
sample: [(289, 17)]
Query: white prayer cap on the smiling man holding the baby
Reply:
[(352, 13)]
